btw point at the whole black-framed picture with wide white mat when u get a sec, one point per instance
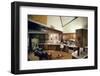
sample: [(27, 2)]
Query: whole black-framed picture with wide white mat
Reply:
[(52, 37)]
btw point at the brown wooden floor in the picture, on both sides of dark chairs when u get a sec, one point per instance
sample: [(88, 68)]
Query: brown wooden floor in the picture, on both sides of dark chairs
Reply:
[(52, 54)]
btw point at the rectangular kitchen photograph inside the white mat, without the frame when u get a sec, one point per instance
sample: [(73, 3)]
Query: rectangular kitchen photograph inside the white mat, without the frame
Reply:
[(57, 37)]
